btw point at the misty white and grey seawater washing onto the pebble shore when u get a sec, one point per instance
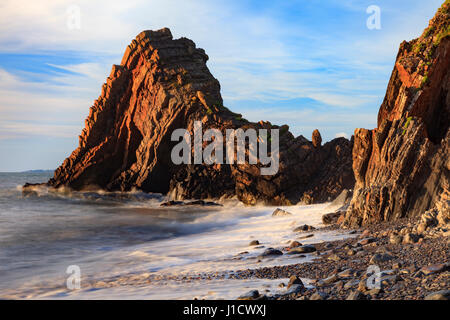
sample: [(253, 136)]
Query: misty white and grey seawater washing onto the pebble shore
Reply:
[(127, 246)]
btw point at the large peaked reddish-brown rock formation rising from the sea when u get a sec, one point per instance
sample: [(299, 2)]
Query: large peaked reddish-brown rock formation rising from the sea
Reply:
[(164, 84)]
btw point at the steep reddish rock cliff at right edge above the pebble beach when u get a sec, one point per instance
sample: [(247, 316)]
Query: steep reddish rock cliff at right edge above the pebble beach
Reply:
[(402, 166)]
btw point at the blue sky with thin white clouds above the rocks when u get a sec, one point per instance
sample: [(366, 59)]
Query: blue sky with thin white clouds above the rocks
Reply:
[(306, 63)]
